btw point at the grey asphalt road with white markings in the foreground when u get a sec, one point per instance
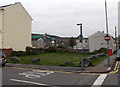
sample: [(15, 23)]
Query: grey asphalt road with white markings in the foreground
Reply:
[(26, 77)]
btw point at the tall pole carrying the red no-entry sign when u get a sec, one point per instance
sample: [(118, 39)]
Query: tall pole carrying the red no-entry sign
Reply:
[(107, 33)]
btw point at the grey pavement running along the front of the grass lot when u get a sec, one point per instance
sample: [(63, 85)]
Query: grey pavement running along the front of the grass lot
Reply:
[(100, 68)]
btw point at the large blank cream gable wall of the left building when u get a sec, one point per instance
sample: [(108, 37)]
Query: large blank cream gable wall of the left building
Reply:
[(15, 27)]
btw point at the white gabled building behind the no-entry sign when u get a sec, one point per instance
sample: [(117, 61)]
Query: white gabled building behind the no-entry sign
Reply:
[(96, 41)]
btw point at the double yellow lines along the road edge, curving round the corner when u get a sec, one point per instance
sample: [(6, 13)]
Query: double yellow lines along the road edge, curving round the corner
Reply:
[(117, 66)]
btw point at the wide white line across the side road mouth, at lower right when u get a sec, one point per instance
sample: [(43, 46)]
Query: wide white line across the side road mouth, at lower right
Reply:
[(99, 80)]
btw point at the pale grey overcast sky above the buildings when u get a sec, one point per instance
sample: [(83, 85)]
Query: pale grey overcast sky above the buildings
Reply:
[(59, 17)]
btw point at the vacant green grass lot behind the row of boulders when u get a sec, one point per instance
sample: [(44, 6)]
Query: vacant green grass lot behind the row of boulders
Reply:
[(56, 59)]
